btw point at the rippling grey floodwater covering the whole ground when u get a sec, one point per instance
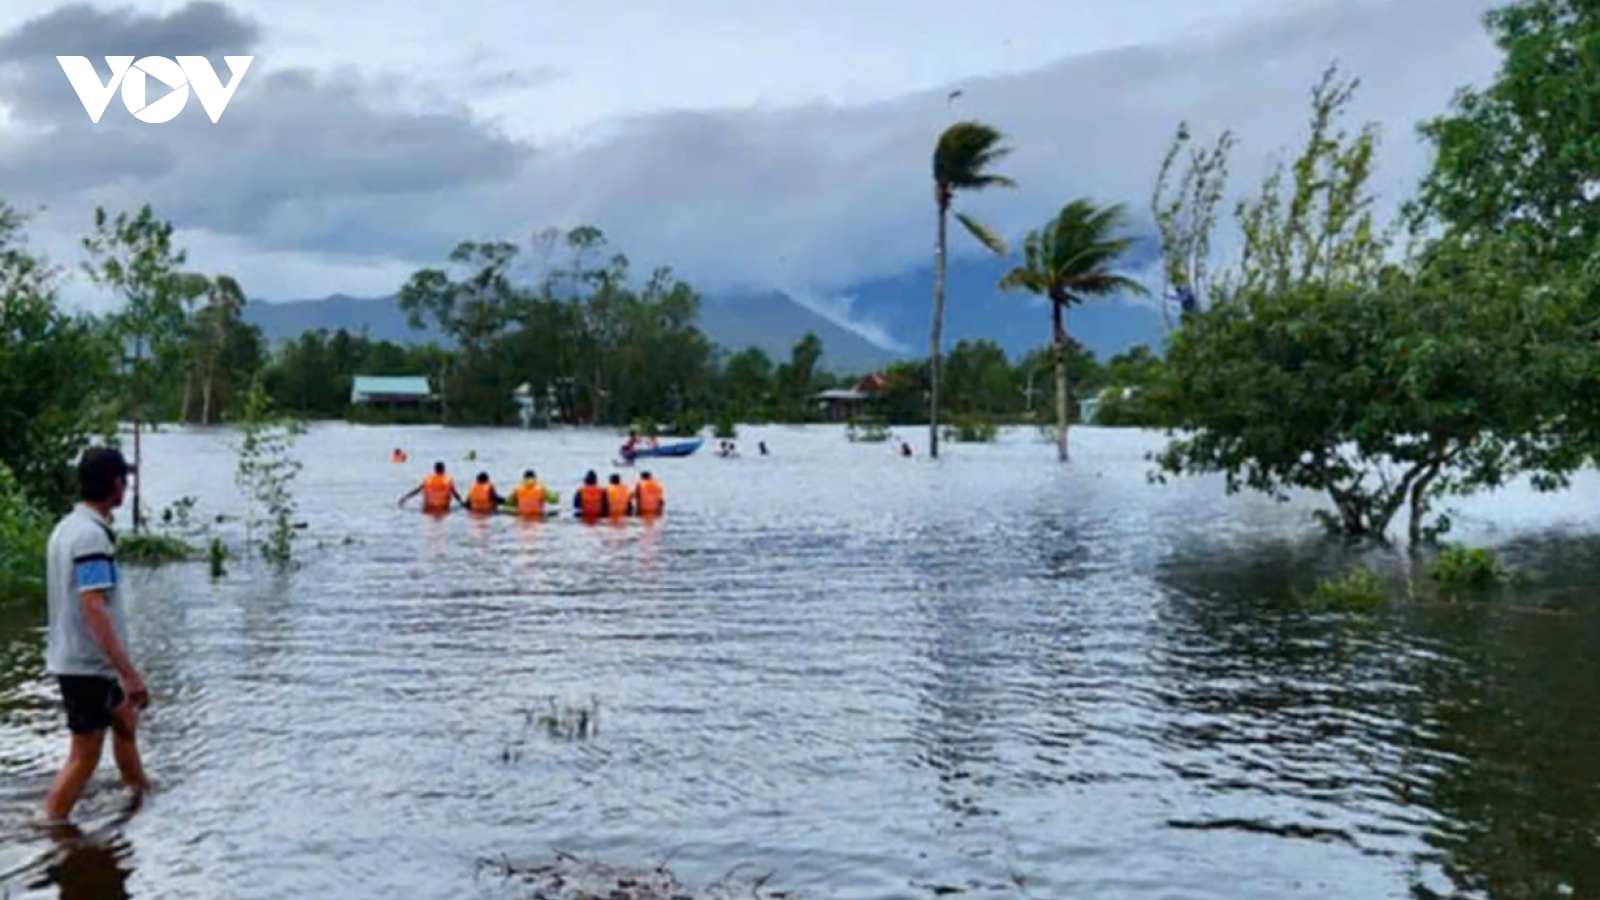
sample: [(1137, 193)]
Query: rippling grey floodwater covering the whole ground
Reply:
[(873, 677)]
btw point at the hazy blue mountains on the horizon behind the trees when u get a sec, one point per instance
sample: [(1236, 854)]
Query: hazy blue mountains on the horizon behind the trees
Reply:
[(894, 311)]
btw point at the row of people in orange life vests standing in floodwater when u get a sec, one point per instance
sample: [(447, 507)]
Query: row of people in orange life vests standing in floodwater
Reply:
[(532, 499)]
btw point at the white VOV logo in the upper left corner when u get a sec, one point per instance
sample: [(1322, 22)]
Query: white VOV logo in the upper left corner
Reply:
[(178, 78)]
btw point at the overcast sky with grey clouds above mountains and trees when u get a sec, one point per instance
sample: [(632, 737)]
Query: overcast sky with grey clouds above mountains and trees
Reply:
[(772, 143)]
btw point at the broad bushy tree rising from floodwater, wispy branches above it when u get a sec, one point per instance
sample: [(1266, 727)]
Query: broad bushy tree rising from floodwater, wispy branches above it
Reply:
[(1324, 366)]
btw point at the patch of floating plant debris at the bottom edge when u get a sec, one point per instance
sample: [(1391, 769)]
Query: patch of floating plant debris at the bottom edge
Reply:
[(570, 878)]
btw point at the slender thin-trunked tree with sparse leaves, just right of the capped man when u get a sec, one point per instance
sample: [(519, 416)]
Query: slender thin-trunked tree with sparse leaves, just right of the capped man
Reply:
[(137, 257)]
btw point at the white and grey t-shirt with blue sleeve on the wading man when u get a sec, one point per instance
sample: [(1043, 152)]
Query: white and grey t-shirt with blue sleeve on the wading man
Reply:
[(82, 556)]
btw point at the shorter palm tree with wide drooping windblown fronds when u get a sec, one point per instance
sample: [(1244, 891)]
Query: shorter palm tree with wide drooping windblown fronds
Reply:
[(1070, 262)]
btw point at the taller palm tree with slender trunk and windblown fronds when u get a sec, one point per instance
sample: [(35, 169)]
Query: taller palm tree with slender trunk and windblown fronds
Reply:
[(961, 163)]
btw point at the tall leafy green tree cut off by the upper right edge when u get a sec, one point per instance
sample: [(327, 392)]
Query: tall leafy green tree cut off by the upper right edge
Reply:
[(1518, 166)]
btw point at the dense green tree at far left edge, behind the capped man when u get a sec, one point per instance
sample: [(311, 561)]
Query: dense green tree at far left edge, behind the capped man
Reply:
[(55, 374)]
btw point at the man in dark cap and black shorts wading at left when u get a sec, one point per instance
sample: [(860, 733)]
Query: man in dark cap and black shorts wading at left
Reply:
[(89, 637)]
